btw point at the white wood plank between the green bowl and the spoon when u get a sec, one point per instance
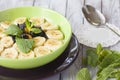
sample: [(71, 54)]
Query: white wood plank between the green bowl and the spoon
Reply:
[(74, 14)]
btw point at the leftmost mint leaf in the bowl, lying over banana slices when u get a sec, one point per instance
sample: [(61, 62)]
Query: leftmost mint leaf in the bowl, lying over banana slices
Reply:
[(13, 30)]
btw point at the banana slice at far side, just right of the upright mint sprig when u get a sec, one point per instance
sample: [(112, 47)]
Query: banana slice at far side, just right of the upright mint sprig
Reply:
[(37, 21)]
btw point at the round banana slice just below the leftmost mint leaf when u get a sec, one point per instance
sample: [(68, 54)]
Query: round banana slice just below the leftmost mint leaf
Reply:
[(7, 41)]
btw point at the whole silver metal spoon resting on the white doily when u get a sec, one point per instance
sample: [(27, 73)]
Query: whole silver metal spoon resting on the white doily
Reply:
[(95, 17)]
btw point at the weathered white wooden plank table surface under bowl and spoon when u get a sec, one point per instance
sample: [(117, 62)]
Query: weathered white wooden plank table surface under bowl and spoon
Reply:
[(71, 9)]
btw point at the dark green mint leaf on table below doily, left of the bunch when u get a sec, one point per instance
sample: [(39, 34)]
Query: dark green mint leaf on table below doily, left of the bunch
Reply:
[(92, 57)]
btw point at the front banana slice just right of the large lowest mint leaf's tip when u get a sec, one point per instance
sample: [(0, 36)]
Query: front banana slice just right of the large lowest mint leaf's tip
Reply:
[(41, 51)]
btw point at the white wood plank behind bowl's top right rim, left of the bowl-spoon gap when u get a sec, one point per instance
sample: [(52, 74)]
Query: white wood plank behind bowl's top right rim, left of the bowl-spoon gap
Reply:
[(59, 5)]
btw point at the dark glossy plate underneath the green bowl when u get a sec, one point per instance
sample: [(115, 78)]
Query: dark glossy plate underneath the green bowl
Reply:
[(52, 68)]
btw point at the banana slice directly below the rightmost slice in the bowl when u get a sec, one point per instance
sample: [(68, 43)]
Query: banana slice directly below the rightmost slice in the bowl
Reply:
[(53, 44)]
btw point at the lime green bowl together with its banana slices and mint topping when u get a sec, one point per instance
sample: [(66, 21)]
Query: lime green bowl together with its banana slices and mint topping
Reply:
[(31, 37)]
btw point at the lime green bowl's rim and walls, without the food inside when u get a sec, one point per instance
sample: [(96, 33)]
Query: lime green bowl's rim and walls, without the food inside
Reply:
[(51, 16)]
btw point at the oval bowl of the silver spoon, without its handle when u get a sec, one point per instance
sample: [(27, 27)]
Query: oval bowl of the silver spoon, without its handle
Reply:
[(93, 15)]
